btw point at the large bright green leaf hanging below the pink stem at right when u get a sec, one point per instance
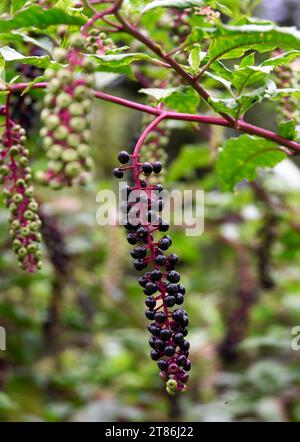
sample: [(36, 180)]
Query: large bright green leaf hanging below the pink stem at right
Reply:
[(240, 158)]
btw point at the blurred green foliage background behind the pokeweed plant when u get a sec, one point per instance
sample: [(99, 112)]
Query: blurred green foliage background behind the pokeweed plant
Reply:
[(77, 344)]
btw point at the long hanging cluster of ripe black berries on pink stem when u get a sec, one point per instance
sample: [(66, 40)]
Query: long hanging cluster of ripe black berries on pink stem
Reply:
[(160, 281)]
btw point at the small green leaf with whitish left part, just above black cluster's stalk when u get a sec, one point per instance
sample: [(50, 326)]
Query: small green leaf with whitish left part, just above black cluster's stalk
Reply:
[(180, 99)]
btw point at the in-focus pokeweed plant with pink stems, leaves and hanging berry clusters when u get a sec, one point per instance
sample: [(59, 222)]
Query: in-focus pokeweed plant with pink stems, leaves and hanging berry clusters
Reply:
[(197, 61)]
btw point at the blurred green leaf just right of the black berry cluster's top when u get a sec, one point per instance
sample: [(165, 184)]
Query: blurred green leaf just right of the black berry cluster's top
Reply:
[(189, 159)]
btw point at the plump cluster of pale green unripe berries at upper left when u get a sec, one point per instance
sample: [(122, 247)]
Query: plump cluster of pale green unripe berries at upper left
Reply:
[(66, 118)]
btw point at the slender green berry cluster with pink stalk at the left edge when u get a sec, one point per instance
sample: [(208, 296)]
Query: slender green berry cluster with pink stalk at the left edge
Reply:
[(15, 176)]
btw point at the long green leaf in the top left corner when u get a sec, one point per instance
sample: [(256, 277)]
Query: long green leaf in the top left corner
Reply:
[(36, 16)]
